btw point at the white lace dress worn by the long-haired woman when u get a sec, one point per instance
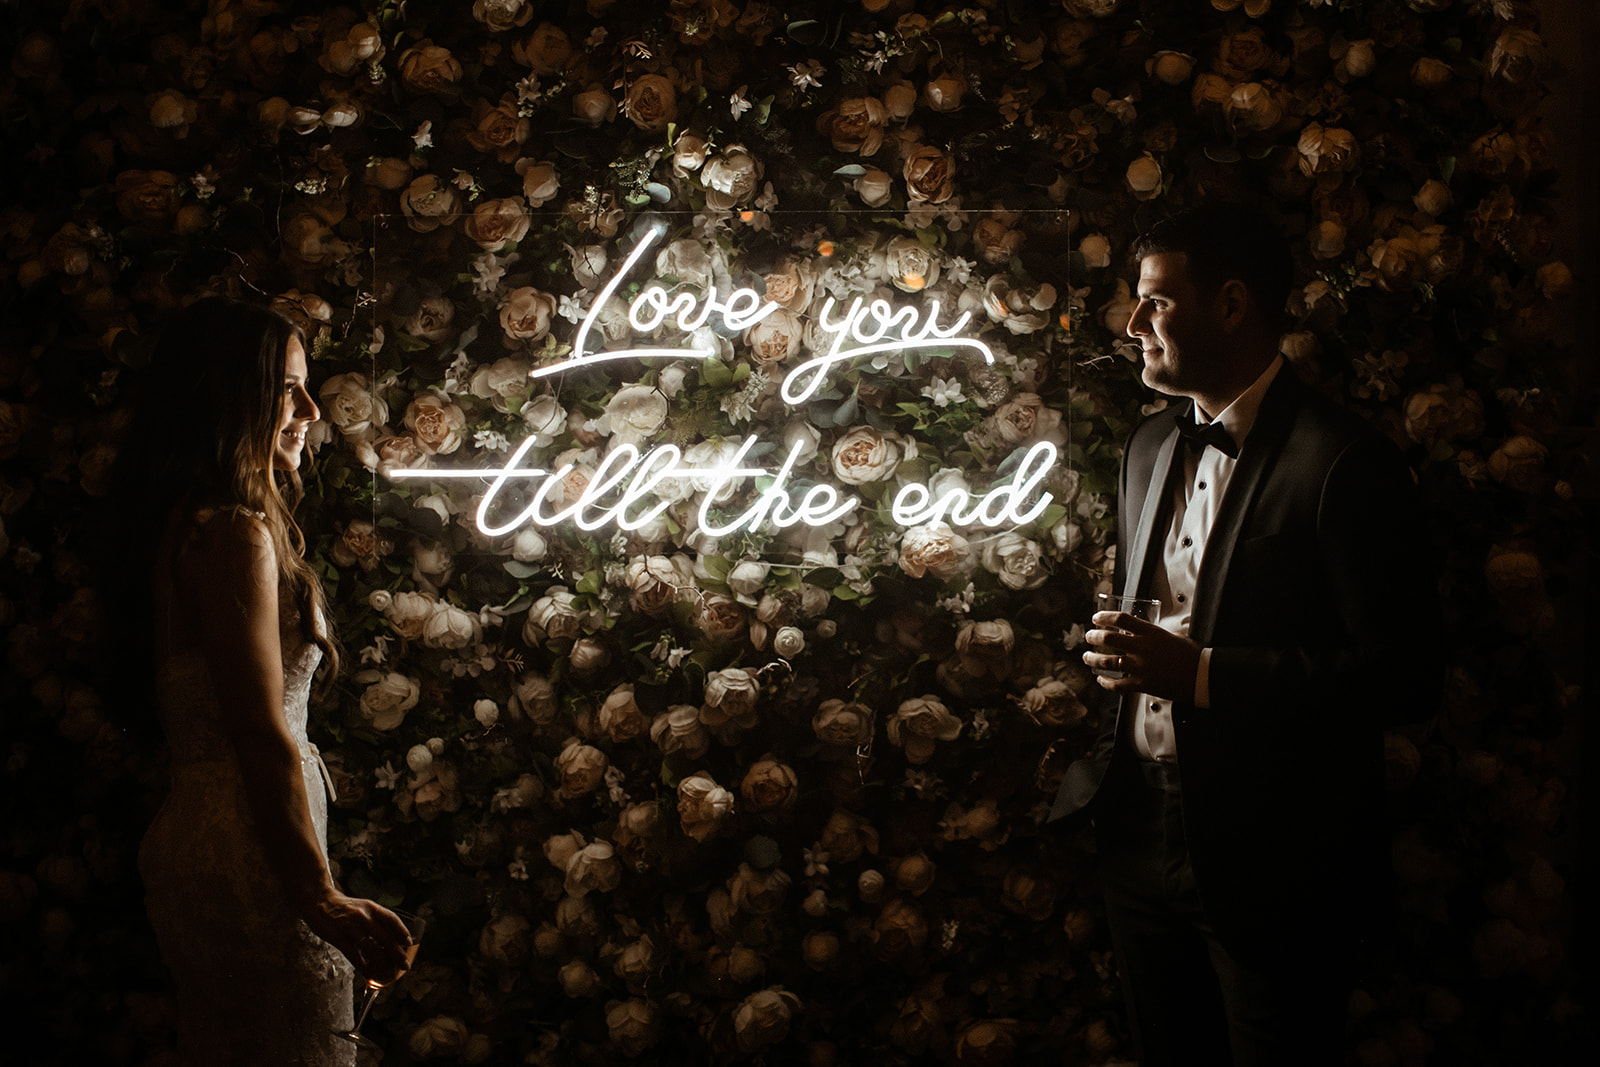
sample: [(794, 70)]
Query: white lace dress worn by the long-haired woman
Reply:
[(255, 985)]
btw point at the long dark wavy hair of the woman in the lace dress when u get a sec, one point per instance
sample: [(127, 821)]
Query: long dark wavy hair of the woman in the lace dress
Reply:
[(204, 434)]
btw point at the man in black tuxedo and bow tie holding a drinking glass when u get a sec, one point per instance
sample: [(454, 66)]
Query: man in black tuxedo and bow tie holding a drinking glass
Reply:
[(1238, 799)]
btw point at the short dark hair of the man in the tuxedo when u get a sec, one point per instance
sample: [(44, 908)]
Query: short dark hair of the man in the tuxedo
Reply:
[(1225, 242)]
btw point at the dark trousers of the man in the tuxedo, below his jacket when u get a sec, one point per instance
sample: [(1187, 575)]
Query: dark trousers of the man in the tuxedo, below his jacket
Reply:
[(1191, 1001)]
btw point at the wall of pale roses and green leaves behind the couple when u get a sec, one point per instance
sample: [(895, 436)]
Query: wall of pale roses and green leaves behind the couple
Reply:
[(681, 783)]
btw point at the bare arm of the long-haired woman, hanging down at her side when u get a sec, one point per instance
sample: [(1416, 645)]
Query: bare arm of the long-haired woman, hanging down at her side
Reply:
[(233, 583)]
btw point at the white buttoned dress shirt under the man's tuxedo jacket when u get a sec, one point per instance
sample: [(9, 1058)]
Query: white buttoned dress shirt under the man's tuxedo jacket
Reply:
[(1198, 500)]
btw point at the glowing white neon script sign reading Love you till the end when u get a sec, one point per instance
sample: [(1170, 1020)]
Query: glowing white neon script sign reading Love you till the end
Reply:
[(622, 490)]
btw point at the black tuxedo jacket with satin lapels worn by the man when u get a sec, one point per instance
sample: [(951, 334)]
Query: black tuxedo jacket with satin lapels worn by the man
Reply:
[(1318, 602)]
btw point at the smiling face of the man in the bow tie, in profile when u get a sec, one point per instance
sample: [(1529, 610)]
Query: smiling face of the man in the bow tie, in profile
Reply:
[(1175, 326)]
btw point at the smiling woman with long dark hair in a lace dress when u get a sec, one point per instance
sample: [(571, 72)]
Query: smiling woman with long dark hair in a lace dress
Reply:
[(257, 935)]
